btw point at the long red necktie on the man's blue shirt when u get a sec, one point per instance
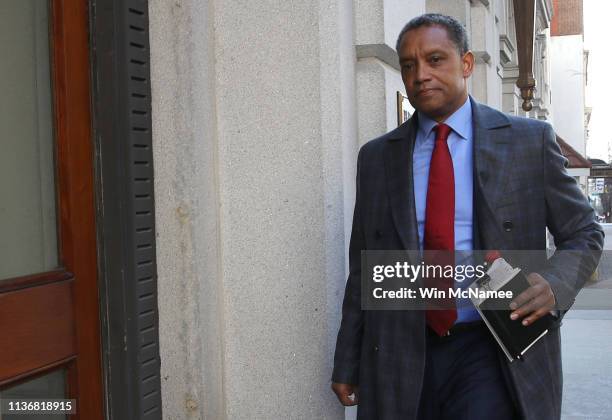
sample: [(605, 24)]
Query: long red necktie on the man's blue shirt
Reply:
[(440, 228)]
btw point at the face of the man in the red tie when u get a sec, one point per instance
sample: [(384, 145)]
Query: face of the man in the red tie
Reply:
[(433, 71)]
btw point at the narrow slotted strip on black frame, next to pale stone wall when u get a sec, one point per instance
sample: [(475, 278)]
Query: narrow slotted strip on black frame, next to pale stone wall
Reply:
[(143, 228)]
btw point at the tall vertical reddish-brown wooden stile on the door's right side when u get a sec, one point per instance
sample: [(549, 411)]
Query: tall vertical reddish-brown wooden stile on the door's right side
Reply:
[(75, 172)]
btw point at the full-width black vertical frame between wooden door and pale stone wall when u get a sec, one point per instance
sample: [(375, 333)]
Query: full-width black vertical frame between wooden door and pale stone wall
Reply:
[(122, 103)]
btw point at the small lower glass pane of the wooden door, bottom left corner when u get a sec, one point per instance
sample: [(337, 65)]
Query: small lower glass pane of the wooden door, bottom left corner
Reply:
[(49, 386)]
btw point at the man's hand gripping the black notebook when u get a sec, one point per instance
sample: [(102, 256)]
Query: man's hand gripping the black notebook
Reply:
[(534, 302)]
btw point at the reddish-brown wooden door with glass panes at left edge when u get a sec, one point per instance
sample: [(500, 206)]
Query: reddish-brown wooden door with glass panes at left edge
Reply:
[(49, 311)]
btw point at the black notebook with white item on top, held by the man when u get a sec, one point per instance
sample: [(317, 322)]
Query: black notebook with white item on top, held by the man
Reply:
[(513, 337)]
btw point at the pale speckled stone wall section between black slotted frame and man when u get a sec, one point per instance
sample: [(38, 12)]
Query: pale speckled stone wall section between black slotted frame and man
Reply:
[(255, 144)]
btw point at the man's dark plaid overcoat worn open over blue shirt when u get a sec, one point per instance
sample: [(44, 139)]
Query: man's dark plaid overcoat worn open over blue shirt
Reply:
[(521, 187)]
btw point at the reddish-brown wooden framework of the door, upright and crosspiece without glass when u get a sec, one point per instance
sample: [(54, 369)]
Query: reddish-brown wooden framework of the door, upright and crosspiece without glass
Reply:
[(61, 325)]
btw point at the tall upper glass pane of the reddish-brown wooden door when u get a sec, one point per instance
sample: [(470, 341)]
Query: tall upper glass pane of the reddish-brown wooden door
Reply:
[(28, 237)]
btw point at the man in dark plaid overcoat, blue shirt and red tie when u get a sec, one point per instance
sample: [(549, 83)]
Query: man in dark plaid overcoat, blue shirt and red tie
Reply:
[(506, 179)]
